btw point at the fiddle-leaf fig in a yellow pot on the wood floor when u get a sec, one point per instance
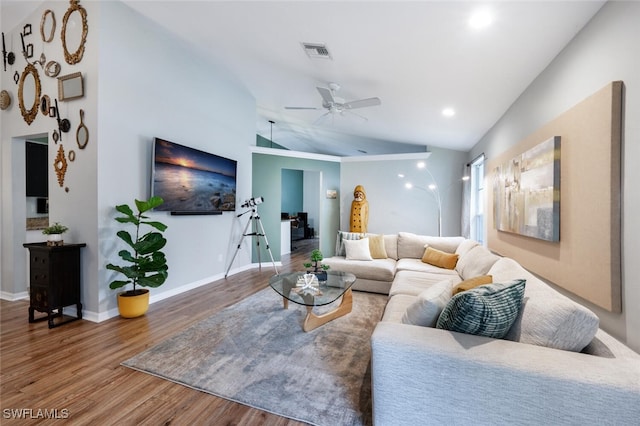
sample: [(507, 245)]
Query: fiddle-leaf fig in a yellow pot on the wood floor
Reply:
[(147, 265)]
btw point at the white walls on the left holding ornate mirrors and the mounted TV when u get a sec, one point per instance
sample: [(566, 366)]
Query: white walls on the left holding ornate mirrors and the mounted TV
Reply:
[(140, 82)]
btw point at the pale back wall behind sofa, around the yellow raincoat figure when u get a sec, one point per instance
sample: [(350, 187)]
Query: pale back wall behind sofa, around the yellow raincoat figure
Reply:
[(394, 208)]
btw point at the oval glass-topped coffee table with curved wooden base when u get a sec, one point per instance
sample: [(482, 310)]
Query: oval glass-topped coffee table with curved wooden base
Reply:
[(292, 287)]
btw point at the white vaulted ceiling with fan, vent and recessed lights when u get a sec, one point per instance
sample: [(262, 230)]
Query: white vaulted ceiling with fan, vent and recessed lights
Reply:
[(418, 57)]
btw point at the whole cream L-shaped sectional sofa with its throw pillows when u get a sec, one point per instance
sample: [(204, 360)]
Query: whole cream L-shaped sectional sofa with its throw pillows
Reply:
[(551, 365)]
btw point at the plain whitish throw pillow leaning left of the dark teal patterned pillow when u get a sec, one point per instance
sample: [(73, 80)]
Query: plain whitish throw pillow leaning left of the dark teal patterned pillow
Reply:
[(429, 305)]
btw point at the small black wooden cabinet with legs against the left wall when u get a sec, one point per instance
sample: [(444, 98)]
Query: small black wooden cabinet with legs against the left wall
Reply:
[(54, 281)]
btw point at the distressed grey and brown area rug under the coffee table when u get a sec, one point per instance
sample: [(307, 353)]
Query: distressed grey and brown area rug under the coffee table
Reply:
[(256, 353)]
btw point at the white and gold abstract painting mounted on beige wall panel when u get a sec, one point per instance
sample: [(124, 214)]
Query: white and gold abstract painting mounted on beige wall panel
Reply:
[(527, 192)]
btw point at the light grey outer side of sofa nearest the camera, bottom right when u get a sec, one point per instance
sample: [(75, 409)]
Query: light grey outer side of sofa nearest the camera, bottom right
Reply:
[(424, 375)]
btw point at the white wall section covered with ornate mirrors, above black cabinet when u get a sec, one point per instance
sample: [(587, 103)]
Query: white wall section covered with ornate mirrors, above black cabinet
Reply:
[(65, 207)]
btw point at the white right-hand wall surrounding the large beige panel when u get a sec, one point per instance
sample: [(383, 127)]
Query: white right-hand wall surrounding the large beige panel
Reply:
[(605, 50)]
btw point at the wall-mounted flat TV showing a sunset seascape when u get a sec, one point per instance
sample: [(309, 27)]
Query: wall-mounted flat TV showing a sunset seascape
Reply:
[(192, 181)]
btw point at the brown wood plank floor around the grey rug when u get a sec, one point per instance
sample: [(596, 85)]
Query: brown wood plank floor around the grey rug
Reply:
[(75, 368)]
